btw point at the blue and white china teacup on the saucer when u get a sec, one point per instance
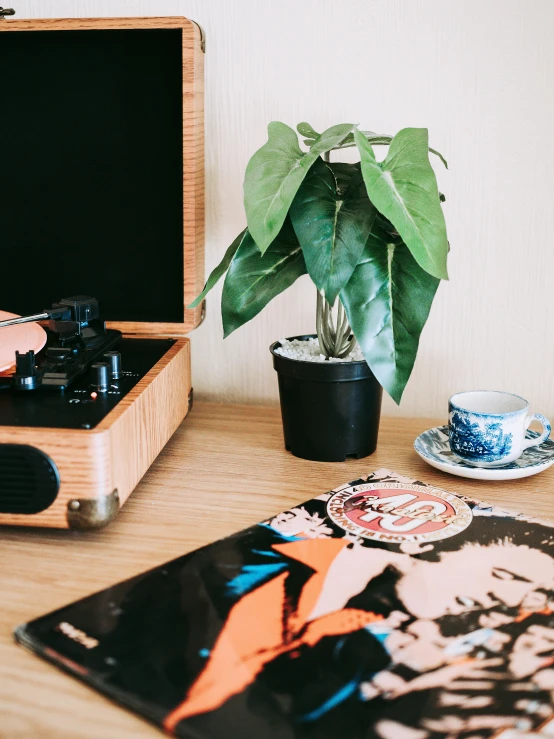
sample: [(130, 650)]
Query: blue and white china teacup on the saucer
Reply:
[(487, 428)]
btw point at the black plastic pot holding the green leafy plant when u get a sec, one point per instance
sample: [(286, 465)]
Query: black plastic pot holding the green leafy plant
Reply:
[(330, 410)]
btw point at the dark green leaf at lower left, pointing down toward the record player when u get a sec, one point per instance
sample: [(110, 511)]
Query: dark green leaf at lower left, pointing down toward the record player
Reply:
[(254, 279)]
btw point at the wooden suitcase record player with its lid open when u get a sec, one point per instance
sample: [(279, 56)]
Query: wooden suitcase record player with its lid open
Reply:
[(102, 183)]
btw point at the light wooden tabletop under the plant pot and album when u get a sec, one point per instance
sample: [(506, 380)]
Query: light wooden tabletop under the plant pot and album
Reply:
[(224, 469)]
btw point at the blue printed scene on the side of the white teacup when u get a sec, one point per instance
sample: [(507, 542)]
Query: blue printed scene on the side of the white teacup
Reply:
[(484, 442)]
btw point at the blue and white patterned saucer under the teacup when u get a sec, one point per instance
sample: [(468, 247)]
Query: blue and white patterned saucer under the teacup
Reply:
[(433, 447)]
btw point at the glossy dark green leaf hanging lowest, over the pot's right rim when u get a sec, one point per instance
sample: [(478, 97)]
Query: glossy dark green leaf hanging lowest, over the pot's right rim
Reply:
[(387, 301)]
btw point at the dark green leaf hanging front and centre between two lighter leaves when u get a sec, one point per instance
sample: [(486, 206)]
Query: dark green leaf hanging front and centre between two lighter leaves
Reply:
[(332, 224)]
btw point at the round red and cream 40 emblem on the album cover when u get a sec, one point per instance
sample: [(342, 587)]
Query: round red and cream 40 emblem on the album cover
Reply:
[(397, 512)]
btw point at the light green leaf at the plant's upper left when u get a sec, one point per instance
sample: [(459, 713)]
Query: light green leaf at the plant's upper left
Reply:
[(274, 174)]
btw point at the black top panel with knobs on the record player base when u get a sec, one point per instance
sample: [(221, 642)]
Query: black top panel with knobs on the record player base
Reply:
[(91, 396)]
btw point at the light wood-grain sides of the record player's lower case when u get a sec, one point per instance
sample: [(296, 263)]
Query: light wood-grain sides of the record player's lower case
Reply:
[(116, 454)]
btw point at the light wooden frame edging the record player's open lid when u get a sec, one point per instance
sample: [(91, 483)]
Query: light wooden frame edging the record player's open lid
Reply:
[(193, 153)]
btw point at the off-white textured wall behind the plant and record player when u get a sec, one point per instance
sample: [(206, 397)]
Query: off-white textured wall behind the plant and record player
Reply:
[(480, 75)]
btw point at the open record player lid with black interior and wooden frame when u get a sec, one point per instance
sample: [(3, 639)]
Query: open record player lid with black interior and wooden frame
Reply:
[(102, 174)]
